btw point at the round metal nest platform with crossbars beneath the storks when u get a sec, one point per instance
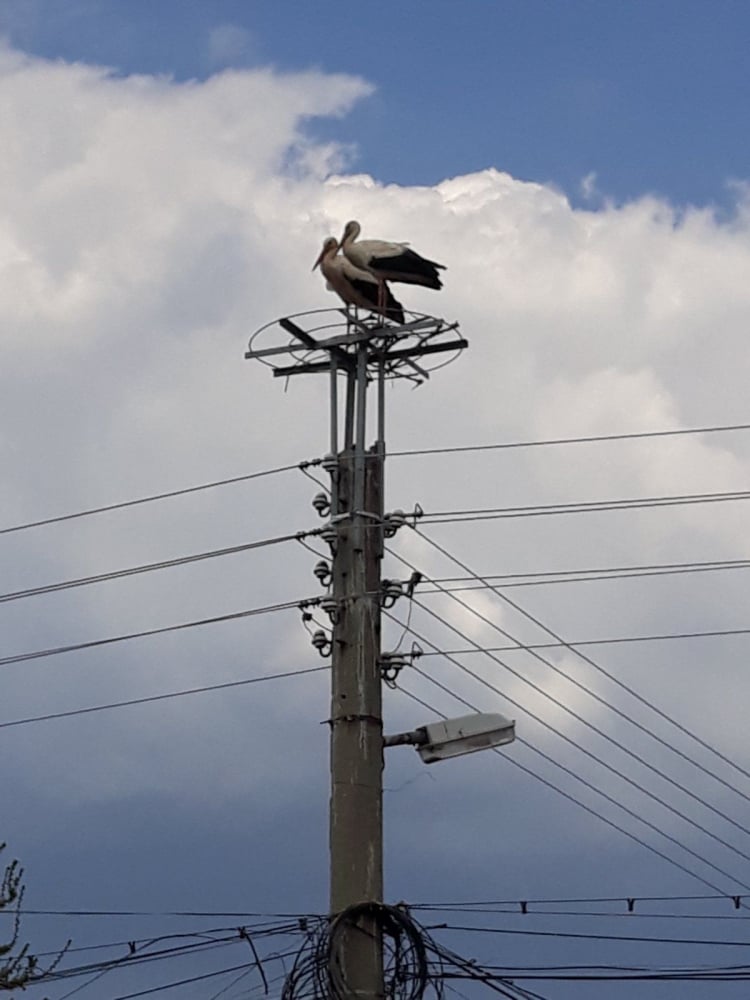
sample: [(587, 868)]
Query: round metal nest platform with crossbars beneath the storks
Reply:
[(333, 339)]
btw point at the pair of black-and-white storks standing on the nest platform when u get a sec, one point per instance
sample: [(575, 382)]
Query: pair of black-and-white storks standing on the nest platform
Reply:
[(360, 276)]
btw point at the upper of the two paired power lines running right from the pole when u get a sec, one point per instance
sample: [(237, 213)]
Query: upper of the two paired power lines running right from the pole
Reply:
[(579, 507)]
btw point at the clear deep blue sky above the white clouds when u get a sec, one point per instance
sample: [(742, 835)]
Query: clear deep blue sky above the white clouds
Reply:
[(650, 96)]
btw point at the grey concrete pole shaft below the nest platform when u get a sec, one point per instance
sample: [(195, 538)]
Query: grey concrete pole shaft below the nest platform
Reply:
[(356, 806)]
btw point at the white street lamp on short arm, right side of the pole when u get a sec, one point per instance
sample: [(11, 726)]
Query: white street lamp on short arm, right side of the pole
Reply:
[(454, 737)]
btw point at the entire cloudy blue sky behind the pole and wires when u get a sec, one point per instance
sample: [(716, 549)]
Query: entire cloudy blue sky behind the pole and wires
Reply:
[(169, 173)]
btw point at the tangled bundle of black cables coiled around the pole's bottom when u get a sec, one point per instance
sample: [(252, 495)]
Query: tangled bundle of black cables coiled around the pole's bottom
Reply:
[(318, 972)]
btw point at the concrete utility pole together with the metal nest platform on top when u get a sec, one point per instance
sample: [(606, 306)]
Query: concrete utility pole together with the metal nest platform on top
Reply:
[(363, 350)]
